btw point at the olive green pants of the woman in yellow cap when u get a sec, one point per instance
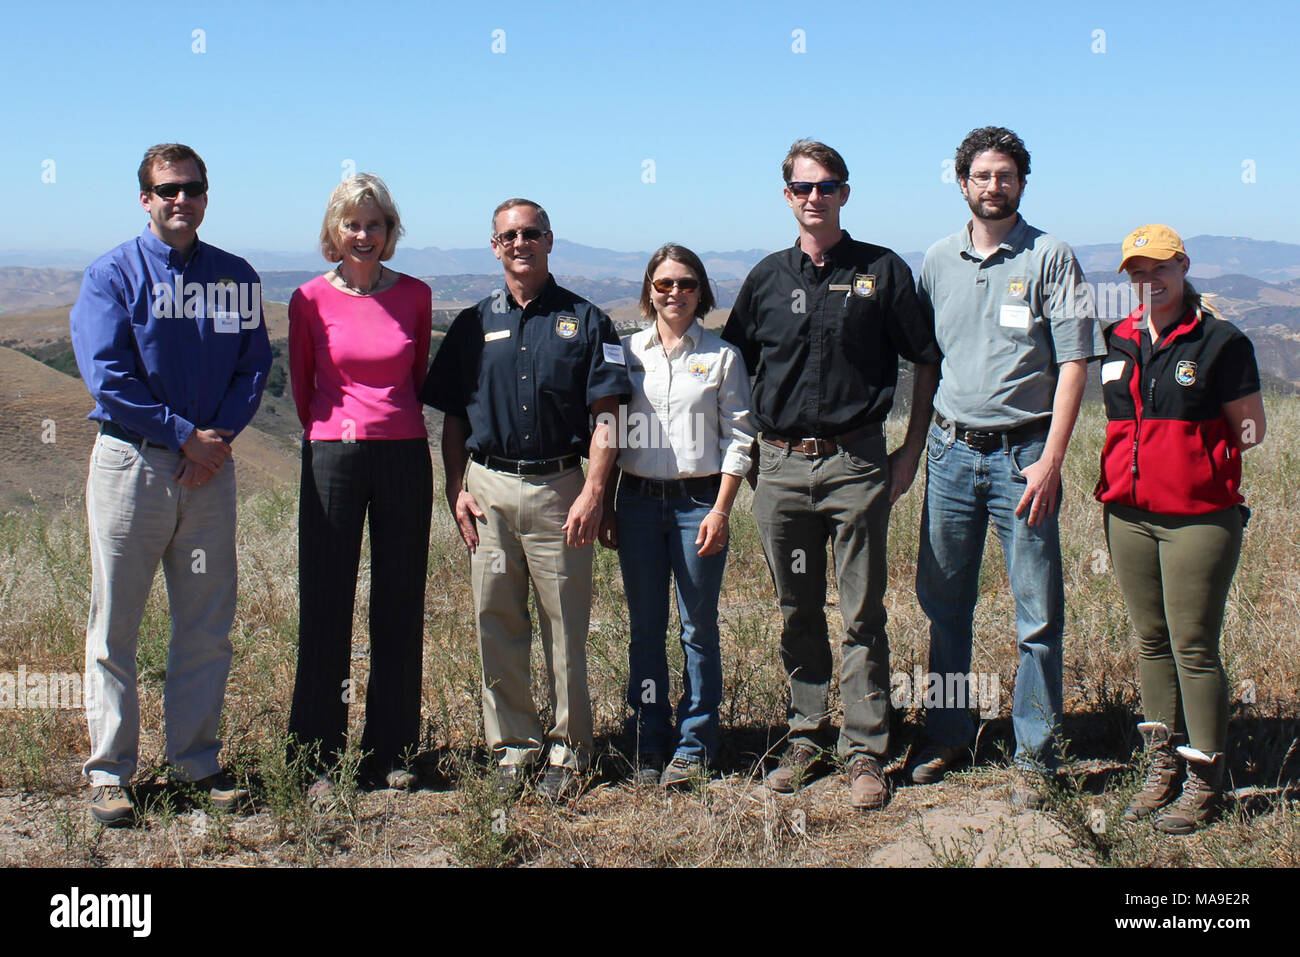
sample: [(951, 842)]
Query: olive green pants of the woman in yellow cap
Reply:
[(1175, 573)]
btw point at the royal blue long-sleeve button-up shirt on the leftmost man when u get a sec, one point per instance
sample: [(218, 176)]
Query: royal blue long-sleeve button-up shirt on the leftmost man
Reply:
[(167, 345)]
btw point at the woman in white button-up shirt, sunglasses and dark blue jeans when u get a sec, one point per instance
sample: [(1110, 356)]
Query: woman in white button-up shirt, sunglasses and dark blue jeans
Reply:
[(684, 441)]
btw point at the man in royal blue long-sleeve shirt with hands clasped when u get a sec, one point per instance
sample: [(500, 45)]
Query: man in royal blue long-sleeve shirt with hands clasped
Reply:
[(170, 340)]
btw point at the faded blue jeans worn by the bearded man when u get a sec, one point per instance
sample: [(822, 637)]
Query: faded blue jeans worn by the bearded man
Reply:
[(964, 491)]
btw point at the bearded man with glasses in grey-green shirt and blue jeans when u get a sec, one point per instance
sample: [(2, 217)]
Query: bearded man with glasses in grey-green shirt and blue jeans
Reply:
[(1017, 328)]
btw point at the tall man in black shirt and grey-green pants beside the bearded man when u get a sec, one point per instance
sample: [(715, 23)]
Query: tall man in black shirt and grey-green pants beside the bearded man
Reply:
[(822, 327)]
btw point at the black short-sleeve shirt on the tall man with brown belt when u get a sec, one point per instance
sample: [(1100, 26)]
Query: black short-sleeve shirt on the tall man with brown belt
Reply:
[(824, 343)]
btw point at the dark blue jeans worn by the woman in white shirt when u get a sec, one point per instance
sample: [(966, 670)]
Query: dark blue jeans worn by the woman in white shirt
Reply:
[(657, 538)]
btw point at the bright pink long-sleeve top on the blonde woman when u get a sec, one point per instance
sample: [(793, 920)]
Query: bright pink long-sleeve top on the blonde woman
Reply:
[(357, 363)]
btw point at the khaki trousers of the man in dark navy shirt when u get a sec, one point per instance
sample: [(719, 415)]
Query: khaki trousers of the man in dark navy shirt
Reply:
[(521, 539)]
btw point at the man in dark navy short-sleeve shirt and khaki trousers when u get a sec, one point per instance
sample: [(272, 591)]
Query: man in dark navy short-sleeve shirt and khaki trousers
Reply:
[(519, 379)]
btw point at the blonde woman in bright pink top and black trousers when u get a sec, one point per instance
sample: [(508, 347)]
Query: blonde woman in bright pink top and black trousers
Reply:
[(358, 350)]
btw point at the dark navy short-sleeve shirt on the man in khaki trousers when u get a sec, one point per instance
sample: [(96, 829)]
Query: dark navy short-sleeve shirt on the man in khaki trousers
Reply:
[(526, 379)]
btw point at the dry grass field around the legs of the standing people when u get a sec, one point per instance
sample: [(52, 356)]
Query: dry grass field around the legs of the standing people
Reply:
[(458, 820)]
